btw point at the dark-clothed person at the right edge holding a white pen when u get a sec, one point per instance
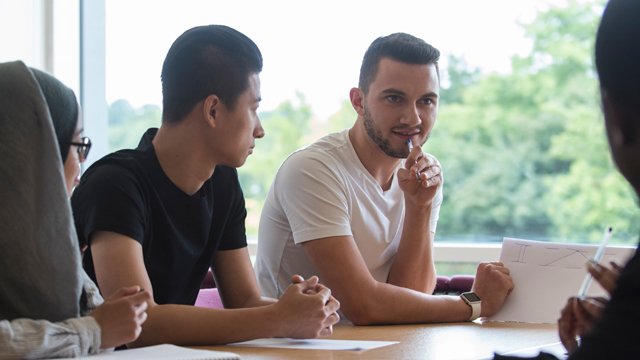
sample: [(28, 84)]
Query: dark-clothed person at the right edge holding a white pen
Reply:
[(611, 332)]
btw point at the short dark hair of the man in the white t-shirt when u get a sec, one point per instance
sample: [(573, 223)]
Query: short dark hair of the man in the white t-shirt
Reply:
[(400, 47)]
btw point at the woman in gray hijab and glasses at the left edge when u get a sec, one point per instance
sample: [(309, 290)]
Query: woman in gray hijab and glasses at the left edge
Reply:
[(48, 306)]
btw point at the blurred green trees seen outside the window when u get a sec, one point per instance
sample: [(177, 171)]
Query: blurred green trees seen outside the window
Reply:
[(524, 153)]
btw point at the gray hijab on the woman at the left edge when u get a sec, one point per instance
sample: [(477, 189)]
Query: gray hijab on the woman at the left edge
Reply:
[(40, 273)]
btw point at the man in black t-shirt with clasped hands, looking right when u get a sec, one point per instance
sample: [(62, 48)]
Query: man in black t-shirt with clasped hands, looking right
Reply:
[(163, 214)]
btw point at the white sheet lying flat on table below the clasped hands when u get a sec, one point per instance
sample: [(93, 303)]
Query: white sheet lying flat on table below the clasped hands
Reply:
[(316, 344)]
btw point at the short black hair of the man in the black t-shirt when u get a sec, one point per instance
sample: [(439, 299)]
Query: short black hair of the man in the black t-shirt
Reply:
[(206, 60)]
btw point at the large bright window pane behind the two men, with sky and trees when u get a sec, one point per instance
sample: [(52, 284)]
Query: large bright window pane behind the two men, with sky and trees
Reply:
[(519, 132)]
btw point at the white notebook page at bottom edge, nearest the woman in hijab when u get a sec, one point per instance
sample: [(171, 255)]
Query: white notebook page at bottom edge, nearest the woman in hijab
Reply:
[(164, 352)]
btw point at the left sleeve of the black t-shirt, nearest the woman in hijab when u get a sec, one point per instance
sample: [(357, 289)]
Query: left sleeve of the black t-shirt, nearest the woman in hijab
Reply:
[(108, 198)]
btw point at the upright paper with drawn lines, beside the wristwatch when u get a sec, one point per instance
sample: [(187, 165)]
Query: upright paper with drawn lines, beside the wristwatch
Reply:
[(546, 274)]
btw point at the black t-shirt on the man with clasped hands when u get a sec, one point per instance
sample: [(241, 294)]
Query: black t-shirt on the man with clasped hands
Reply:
[(127, 192)]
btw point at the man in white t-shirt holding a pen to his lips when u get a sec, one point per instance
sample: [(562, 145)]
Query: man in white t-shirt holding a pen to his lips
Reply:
[(359, 207)]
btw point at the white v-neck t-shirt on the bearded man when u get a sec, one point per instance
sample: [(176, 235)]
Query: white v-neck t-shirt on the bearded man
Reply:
[(321, 191)]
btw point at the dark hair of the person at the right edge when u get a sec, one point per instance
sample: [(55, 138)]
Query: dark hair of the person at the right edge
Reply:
[(617, 51)]
